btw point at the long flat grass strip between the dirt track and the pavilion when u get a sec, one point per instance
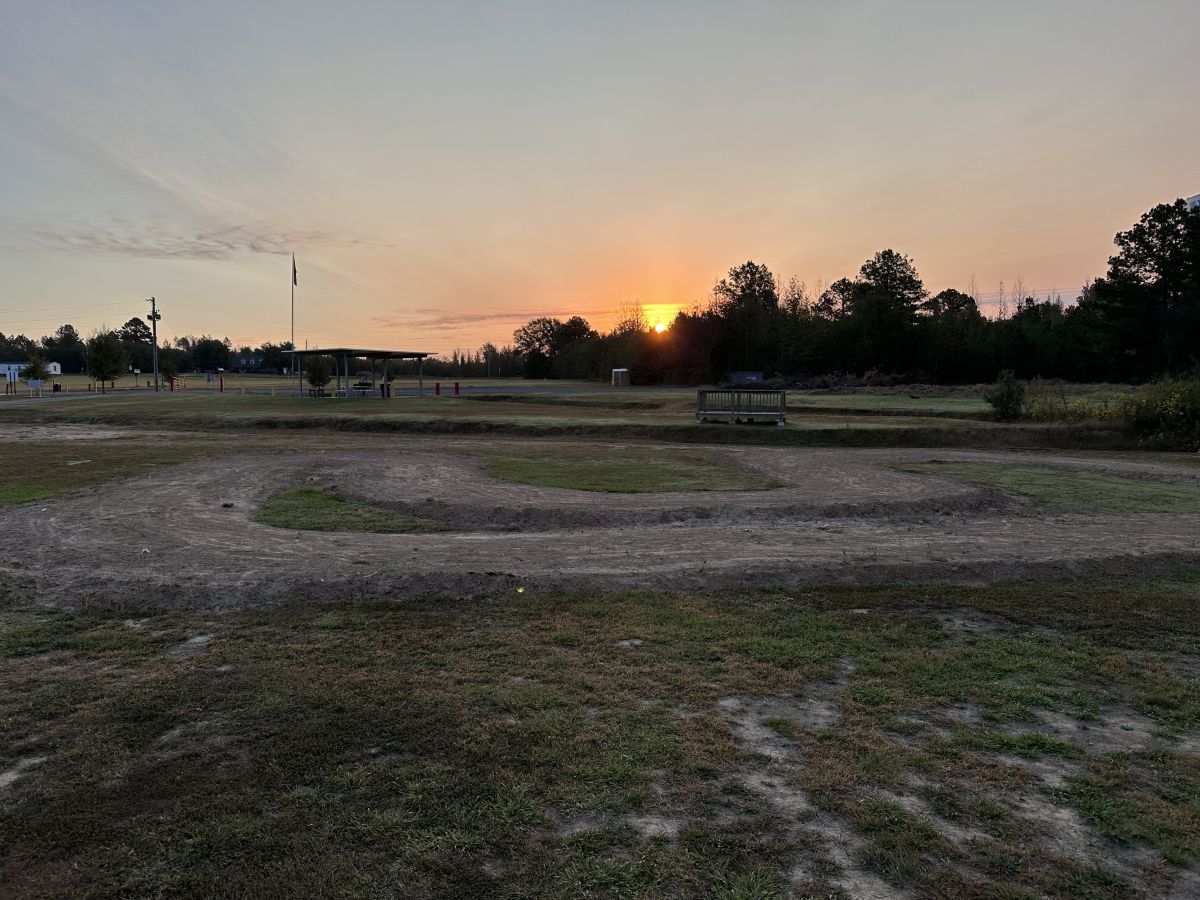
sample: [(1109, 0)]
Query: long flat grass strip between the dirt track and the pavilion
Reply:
[(537, 416)]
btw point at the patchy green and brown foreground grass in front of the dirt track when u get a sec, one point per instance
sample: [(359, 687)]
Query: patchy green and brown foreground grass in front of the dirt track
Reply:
[(506, 747)]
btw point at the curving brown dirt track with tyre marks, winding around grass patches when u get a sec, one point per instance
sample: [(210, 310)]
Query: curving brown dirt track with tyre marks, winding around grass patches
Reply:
[(183, 537)]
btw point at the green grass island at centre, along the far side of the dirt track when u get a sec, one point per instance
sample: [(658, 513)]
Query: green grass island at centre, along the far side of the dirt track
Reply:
[(627, 473)]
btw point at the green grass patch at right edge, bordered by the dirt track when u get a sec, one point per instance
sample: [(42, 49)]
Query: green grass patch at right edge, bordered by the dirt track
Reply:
[(1063, 489)]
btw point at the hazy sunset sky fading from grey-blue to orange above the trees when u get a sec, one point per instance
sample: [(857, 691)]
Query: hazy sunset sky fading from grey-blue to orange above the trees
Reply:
[(447, 171)]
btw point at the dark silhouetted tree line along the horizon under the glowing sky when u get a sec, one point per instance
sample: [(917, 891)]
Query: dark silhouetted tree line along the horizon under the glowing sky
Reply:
[(1141, 321)]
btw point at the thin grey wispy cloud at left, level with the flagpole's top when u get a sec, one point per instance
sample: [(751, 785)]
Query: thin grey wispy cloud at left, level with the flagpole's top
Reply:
[(172, 242)]
